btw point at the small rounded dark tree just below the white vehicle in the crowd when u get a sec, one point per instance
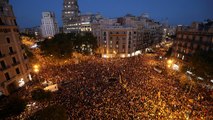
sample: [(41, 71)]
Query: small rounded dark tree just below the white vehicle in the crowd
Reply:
[(40, 95)]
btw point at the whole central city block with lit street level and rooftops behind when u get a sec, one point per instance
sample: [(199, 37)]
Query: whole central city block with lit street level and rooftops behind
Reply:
[(126, 36)]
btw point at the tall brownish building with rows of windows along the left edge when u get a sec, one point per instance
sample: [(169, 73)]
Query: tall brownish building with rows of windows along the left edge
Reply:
[(14, 68)]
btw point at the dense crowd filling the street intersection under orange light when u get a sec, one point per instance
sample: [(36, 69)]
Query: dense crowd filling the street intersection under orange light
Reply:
[(124, 89)]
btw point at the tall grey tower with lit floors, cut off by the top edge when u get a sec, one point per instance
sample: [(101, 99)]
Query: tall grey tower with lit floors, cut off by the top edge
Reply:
[(70, 16)]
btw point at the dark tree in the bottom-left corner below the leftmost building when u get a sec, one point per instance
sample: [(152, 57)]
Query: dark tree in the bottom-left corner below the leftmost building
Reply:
[(15, 106)]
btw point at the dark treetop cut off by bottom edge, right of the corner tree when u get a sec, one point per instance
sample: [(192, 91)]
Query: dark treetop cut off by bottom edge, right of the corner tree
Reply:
[(54, 112)]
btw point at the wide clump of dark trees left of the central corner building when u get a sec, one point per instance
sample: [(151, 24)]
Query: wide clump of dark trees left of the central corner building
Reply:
[(63, 45)]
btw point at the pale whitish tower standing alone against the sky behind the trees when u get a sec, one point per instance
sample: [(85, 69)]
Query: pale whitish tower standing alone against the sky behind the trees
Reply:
[(49, 26)]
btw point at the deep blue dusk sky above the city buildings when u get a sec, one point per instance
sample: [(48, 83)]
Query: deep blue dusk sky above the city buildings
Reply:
[(28, 12)]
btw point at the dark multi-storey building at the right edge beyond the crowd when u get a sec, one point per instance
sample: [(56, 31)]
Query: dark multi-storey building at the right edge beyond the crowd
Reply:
[(189, 39)]
